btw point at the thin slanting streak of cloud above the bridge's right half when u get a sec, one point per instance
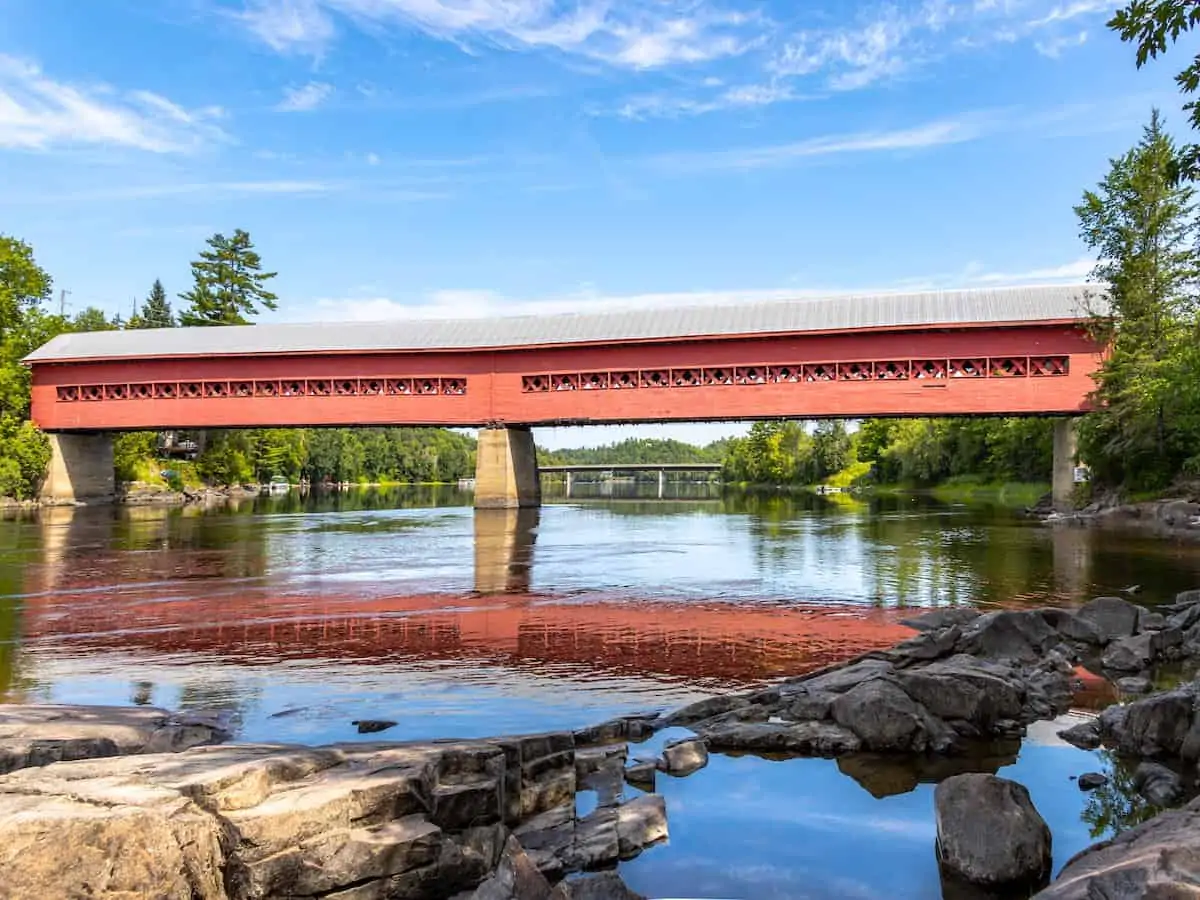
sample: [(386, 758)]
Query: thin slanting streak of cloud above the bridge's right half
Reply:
[(937, 134)]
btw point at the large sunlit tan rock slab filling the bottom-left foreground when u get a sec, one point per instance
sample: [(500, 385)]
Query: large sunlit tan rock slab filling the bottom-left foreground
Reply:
[(241, 823)]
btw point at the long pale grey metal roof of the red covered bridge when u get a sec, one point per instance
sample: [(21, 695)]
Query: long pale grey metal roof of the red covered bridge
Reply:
[(809, 315)]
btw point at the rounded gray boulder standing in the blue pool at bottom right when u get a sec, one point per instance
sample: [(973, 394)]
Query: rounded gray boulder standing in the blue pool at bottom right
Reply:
[(989, 835)]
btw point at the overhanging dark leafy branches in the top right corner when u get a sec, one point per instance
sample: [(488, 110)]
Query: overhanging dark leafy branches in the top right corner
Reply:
[(1154, 26)]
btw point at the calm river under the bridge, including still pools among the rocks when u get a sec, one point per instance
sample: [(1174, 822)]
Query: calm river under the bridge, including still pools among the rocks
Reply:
[(301, 615)]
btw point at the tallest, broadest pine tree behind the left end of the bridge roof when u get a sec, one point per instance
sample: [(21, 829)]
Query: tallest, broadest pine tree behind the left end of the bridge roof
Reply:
[(230, 284)]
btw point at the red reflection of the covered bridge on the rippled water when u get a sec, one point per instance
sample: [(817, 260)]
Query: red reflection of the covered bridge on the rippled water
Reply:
[(179, 614)]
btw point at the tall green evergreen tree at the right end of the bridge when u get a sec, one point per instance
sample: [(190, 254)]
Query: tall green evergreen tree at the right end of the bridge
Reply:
[(1142, 224)]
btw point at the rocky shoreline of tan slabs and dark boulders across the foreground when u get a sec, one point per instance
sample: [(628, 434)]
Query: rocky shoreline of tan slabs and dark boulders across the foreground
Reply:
[(155, 802)]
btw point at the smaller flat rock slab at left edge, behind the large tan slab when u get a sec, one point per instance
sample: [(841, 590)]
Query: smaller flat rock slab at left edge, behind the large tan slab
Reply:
[(38, 735)]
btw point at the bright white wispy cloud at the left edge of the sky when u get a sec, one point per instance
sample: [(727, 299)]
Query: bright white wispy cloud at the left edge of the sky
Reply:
[(39, 113)]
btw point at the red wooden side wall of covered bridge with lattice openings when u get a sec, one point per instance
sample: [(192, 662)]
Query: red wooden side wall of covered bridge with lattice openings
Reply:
[(1011, 369)]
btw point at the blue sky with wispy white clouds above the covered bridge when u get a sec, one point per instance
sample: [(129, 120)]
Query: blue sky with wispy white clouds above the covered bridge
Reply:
[(400, 158)]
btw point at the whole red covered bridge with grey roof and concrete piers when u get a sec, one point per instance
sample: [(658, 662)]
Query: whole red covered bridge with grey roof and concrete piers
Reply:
[(998, 352)]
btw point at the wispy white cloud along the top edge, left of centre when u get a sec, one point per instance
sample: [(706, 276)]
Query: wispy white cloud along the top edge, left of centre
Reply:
[(637, 34)]
